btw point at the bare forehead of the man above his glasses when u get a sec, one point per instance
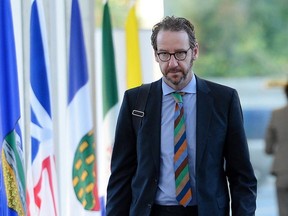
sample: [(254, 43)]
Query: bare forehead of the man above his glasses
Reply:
[(171, 40)]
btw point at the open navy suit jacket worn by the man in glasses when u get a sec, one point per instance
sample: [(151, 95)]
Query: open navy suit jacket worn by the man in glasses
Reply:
[(223, 168)]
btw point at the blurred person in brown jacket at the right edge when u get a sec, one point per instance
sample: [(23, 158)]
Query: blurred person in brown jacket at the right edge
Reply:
[(277, 144)]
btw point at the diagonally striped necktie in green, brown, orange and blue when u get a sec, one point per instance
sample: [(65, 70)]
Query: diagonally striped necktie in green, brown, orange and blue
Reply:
[(182, 179)]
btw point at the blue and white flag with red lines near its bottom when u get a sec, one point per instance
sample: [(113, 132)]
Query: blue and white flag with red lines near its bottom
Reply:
[(41, 175)]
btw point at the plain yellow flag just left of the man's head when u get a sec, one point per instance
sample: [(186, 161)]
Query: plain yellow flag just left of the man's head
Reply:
[(133, 63)]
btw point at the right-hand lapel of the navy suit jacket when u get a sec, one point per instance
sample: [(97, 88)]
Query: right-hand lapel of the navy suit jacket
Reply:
[(203, 116)]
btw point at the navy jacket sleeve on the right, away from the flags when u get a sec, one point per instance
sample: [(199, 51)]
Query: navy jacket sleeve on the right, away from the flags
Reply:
[(241, 178)]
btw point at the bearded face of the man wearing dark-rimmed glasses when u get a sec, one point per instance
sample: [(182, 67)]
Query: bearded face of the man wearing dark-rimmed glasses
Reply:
[(176, 74)]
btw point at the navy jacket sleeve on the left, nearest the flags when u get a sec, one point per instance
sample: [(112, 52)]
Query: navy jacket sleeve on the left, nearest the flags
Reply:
[(123, 164)]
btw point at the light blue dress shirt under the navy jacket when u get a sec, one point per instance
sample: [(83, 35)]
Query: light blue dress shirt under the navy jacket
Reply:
[(166, 193)]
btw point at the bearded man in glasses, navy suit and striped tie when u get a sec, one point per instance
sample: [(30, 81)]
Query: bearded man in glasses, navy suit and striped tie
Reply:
[(214, 158)]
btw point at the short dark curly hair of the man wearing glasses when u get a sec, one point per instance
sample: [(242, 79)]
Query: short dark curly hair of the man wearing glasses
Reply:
[(174, 24)]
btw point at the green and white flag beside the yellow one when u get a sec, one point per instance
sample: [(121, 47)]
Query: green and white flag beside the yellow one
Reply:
[(110, 100)]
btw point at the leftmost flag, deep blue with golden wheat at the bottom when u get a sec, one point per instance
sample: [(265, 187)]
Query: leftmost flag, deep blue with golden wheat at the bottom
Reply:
[(12, 177)]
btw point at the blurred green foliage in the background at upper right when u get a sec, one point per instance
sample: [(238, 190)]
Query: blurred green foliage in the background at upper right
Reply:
[(237, 38)]
